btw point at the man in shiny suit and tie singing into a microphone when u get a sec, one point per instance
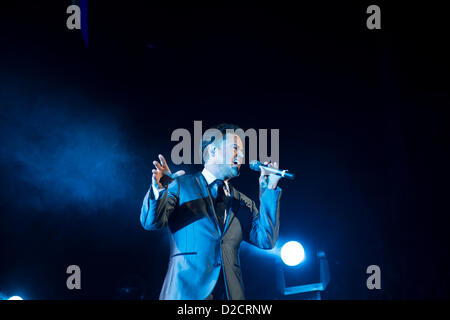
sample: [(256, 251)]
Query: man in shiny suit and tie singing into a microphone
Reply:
[(208, 218)]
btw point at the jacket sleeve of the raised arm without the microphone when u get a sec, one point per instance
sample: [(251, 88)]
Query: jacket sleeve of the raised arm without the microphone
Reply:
[(155, 213)]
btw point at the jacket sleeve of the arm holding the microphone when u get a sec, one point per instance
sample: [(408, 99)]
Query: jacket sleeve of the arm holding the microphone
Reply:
[(265, 222)]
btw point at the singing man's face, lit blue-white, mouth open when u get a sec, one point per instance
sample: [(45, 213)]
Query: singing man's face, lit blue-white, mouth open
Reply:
[(229, 155)]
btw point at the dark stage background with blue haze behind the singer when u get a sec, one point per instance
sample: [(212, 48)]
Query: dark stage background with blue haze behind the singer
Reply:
[(362, 123)]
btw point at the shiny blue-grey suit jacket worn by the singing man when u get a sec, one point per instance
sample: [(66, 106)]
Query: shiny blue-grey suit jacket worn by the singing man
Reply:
[(198, 247)]
